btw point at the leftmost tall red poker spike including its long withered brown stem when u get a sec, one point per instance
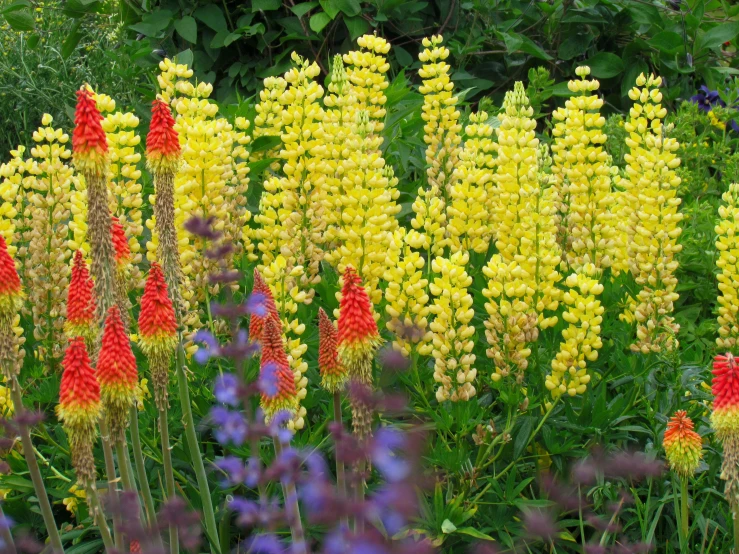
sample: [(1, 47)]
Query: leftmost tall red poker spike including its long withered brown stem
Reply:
[(90, 151)]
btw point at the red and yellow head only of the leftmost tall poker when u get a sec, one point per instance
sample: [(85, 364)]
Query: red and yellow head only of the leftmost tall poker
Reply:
[(89, 143)]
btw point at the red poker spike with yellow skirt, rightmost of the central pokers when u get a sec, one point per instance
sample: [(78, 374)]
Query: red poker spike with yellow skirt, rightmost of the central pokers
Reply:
[(358, 342)]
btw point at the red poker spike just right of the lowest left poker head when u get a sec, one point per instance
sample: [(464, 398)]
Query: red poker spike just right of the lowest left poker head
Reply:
[(116, 371)]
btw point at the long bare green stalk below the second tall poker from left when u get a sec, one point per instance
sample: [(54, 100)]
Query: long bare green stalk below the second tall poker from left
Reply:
[(192, 444)]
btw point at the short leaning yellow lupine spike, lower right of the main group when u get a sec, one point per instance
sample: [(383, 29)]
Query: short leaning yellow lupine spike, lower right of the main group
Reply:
[(582, 336)]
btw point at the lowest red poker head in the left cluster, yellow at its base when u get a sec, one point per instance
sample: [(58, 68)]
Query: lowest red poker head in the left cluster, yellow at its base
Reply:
[(79, 394)]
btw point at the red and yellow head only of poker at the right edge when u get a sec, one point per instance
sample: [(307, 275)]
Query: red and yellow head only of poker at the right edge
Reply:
[(725, 389)]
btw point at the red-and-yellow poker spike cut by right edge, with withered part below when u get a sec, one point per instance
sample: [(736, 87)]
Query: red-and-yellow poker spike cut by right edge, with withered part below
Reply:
[(725, 420)]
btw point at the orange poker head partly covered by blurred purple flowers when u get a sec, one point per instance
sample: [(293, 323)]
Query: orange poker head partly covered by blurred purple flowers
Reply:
[(276, 374)]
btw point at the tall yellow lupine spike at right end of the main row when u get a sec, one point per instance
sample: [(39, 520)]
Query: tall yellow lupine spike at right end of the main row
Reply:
[(651, 204)]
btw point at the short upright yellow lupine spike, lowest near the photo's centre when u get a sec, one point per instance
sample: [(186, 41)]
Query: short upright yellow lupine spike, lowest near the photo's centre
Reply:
[(453, 336)]
